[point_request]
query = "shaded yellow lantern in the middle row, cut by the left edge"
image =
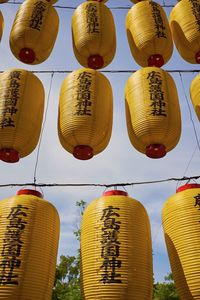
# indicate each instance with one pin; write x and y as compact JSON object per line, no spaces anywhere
{"x":22,"y":105}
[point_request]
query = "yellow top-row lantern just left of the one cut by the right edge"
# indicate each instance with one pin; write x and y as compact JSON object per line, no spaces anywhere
{"x":149,"y":34}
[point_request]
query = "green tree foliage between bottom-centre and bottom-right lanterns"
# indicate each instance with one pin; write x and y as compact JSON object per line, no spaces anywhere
{"x":165,"y":290}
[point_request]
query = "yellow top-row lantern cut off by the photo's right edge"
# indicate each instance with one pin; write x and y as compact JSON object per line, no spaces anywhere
{"x":185,"y":27}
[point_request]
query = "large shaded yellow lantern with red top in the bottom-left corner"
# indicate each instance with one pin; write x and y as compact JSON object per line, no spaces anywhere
{"x":29,"y":234}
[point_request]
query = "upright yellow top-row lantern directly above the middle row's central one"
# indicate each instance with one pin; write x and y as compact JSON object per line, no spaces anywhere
{"x":93,"y":34}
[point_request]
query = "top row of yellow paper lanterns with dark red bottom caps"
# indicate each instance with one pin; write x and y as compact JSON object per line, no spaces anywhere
{"x":36,"y":25}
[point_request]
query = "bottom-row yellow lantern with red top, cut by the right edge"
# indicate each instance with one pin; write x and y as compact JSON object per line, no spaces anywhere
{"x":181,"y":223}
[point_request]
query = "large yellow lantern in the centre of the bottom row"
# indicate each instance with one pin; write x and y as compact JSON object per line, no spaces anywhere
{"x":116,"y":251}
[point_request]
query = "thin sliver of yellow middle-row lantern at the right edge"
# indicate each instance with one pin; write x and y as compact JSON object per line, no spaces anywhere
{"x":195,"y":94}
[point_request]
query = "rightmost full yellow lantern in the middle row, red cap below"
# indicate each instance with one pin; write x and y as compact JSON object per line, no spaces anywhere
{"x":152,"y":112}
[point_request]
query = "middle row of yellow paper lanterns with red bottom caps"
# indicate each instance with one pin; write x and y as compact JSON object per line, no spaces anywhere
{"x":85,"y":112}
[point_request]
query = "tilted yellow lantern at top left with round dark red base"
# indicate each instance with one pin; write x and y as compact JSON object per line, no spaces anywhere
{"x":34,"y":31}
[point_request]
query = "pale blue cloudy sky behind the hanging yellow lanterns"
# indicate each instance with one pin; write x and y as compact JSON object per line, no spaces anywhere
{"x":119,"y":162}
